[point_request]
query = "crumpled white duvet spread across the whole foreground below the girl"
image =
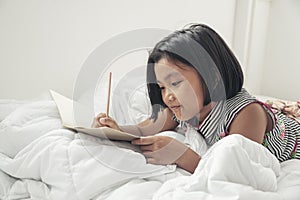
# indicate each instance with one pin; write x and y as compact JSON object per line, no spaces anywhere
{"x":40,"y":160}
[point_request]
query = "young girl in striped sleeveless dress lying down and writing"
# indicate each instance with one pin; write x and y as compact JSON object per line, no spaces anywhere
{"x":195,"y":80}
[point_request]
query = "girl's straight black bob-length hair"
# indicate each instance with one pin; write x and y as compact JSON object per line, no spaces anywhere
{"x":200,"y":47}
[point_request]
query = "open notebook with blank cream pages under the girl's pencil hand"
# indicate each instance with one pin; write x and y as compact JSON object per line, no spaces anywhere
{"x":66,"y":110}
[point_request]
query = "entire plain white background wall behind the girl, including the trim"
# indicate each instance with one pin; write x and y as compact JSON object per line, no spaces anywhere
{"x":43,"y":43}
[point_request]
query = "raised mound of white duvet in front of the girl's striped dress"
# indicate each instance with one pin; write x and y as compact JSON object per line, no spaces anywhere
{"x":233,"y":169}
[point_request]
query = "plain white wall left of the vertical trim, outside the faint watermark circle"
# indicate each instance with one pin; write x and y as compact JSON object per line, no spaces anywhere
{"x":44,"y":43}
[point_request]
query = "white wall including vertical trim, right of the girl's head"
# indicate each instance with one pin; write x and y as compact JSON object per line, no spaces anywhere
{"x":272,"y":45}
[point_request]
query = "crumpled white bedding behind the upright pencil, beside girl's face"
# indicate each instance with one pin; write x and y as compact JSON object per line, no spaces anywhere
{"x":129,"y":103}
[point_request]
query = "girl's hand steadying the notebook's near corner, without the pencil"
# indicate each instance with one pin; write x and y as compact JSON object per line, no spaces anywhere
{"x":161,"y":150}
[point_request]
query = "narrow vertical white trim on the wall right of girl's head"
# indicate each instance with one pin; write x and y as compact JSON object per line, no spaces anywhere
{"x":255,"y":42}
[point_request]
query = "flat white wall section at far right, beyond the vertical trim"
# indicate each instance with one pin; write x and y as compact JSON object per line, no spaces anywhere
{"x":282,"y":64}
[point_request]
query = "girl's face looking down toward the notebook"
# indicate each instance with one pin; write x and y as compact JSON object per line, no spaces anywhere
{"x":181,"y":88}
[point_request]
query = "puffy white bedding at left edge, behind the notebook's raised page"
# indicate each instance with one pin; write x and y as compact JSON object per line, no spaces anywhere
{"x":27,"y":123}
